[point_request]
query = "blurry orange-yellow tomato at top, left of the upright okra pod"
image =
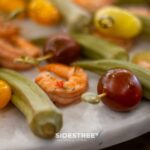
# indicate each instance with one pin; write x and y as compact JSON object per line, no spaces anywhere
{"x":43,"y":12}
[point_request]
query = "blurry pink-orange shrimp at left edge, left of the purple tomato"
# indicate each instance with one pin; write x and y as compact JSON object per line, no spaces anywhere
{"x":13,"y":48}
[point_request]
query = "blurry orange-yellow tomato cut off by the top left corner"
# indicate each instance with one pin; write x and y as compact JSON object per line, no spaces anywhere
{"x":10,"y":6}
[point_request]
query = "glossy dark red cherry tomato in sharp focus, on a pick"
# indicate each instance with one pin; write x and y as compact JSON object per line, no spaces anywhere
{"x":122,"y":88}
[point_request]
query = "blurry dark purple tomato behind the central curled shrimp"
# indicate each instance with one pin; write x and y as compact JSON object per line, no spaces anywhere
{"x":63,"y":49}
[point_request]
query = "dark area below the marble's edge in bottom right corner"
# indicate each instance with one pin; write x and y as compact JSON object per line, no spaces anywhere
{"x":140,"y":143}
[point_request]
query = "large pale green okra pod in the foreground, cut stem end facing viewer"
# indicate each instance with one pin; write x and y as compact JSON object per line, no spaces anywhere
{"x":42,"y":116}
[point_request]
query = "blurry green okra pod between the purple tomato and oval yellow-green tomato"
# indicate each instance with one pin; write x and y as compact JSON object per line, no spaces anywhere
{"x":98,"y":48}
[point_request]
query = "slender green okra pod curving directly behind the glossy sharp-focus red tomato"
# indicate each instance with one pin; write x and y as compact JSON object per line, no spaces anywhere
{"x":101,"y":66}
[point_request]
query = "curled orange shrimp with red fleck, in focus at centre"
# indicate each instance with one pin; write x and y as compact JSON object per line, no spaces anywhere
{"x":65,"y":89}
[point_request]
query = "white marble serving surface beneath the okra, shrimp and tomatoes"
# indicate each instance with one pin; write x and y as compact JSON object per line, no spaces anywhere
{"x":113,"y":127}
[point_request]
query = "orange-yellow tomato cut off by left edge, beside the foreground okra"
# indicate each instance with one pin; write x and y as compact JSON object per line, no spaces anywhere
{"x":5,"y":94}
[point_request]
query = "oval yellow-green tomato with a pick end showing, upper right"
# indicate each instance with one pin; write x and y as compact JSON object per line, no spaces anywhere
{"x":117,"y":22}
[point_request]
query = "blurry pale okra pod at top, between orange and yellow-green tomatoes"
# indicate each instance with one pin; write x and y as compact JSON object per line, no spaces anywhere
{"x":76,"y":17}
